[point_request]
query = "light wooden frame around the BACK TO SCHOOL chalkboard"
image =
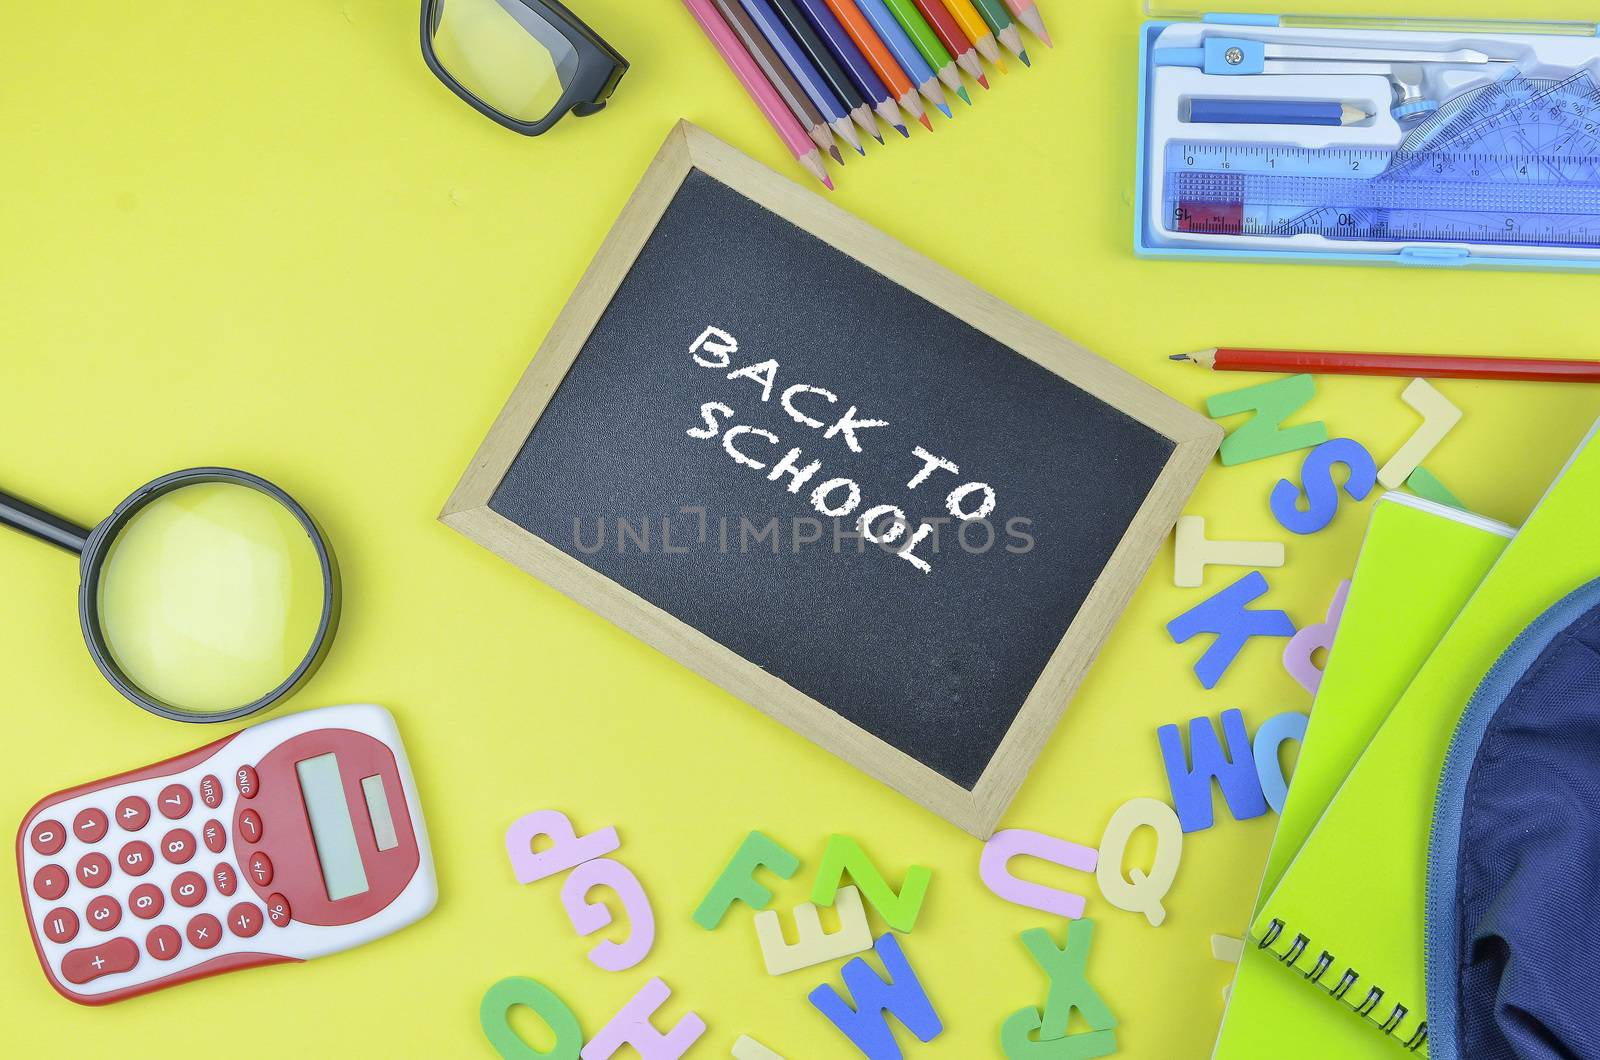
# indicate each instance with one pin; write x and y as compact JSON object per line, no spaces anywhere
{"x":978,"y":811}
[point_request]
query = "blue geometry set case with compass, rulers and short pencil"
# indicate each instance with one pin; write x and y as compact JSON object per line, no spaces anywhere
{"x":1370,"y":142}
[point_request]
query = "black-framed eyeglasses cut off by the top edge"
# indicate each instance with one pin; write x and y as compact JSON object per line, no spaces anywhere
{"x":524,"y":63}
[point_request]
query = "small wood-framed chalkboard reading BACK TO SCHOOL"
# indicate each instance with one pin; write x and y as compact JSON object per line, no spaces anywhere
{"x":833,"y":478}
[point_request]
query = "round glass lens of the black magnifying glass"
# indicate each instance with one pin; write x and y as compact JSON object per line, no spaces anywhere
{"x":210,"y":596}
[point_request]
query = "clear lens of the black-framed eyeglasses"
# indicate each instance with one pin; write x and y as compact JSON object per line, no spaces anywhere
{"x":506,"y":55}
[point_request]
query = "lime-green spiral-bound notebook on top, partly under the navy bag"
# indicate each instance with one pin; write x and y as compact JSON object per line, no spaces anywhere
{"x":1348,"y":915}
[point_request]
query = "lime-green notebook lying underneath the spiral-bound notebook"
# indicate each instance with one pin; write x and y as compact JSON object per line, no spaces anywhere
{"x":1420,"y":564}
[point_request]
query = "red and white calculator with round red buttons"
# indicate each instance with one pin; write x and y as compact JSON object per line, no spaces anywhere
{"x":286,"y":841}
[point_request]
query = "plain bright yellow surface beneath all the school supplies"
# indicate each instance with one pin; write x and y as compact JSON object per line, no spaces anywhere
{"x":262,"y":235}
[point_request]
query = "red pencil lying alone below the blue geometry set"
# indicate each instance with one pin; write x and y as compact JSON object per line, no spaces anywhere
{"x":1410,"y":366}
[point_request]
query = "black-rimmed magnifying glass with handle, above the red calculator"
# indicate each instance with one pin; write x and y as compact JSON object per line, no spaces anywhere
{"x":209,"y":595}
